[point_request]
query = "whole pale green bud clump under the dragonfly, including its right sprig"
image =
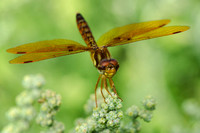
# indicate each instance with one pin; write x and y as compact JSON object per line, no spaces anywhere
{"x":108,"y":118}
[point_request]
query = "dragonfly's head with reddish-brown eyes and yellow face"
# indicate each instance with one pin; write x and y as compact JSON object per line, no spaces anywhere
{"x":108,"y":67}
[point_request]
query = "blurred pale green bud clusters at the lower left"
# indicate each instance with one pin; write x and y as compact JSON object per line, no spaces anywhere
{"x":22,"y":115}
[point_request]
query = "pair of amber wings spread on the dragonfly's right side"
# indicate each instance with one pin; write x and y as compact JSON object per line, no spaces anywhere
{"x":137,"y":32}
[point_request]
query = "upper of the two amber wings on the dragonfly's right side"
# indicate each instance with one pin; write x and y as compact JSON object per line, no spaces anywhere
{"x":114,"y":35}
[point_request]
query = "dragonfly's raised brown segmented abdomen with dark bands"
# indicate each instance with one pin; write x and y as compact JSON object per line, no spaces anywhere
{"x":85,"y":31}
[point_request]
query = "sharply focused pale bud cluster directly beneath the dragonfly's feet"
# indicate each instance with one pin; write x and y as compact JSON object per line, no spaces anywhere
{"x":109,"y":115}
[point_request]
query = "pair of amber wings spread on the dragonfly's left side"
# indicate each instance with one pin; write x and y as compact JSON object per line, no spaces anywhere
{"x":45,"y":50}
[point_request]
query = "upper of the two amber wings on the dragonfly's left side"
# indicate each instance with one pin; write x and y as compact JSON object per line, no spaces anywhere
{"x":56,"y":45}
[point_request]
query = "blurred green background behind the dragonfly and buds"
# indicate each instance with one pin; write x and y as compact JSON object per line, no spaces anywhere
{"x":168,"y":68}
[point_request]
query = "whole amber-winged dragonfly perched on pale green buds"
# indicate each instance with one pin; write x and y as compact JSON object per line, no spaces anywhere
{"x":101,"y":57}
